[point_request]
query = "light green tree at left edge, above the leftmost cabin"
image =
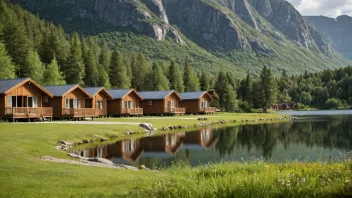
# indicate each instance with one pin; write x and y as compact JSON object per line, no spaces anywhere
{"x":7,"y":68}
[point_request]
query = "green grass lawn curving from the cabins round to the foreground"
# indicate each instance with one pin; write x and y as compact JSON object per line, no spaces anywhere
{"x":22,"y":174}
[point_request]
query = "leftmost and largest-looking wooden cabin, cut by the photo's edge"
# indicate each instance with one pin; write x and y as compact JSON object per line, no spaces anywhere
{"x":23,"y":98}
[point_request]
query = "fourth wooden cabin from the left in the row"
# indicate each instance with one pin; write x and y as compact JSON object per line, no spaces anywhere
{"x":124,"y":102}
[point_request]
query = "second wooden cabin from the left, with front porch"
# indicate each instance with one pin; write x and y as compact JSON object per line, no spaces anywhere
{"x":70,"y":101}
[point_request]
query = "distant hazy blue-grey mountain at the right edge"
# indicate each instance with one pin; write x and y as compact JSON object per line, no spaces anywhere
{"x":338,"y":31}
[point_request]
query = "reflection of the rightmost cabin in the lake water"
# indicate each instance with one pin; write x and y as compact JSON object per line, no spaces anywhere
{"x":203,"y":139}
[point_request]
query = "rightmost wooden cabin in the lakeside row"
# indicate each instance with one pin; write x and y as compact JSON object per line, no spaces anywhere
{"x":197,"y":102}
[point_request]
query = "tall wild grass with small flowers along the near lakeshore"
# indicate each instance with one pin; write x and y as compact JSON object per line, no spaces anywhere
{"x":255,"y":180}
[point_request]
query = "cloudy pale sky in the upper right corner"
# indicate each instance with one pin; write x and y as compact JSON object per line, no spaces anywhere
{"x":330,"y":8}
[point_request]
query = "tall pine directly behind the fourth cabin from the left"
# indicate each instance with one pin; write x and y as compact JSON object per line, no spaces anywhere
{"x":118,"y":73}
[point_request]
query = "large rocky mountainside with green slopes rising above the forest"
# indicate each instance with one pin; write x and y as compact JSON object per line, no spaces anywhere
{"x":230,"y":35}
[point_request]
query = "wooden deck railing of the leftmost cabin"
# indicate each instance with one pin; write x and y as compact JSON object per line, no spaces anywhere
{"x":29,"y":111}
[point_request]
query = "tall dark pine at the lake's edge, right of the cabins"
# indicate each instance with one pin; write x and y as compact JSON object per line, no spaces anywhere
{"x":267,"y":92}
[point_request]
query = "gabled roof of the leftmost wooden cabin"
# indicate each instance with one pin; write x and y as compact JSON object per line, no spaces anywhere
{"x":7,"y":85}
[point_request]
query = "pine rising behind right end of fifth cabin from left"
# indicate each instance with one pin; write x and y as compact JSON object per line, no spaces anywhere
{"x":175,"y":78}
